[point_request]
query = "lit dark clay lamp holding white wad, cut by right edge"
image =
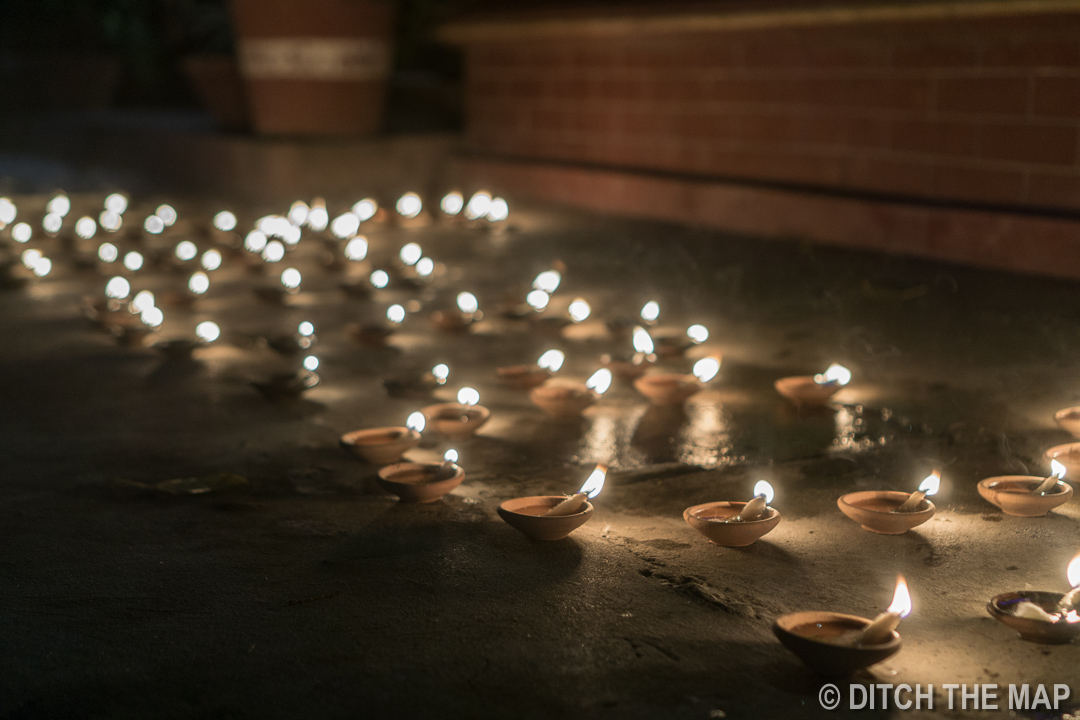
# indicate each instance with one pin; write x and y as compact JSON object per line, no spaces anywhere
{"x":1042,"y":617}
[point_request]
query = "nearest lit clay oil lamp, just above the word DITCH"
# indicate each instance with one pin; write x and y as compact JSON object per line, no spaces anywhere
{"x":838,"y":645}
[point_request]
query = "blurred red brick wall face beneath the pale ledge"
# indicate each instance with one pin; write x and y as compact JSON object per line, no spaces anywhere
{"x":983,"y":111}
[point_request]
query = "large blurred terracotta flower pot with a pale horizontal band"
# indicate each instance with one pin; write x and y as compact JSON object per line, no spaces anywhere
{"x":315,"y":67}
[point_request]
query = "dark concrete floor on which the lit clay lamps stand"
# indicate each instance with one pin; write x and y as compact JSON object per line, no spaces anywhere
{"x":308,"y":592}
